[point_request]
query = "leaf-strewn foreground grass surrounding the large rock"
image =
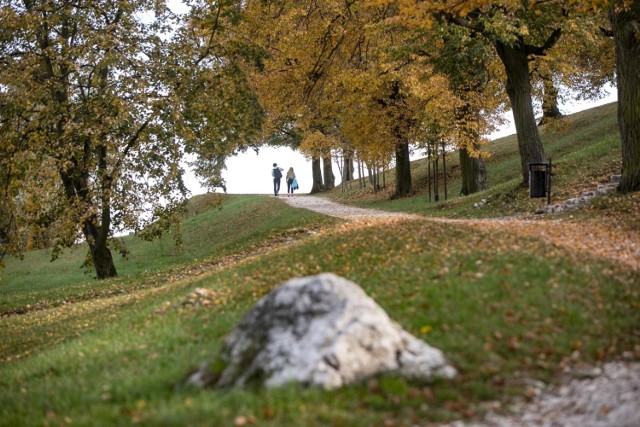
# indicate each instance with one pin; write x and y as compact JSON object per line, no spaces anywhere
{"x":501,"y":309}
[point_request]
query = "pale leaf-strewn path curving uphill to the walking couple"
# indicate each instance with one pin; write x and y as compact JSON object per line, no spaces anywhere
{"x":620,"y":246}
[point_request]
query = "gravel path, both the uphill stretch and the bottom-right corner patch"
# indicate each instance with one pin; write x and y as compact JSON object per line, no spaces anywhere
{"x":607,"y":396}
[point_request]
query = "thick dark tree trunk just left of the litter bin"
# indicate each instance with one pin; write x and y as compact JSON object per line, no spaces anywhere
{"x":514,"y":58}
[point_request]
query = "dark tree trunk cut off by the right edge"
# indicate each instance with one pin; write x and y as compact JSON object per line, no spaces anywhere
{"x":626,"y":34}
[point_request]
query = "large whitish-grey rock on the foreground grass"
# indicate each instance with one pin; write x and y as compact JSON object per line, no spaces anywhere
{"x":320,"y":331}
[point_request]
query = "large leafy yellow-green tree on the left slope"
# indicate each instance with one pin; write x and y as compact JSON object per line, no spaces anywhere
{"x":94,"y":103}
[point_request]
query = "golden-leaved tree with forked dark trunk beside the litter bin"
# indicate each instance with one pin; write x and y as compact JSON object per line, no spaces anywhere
{"x":517,"y":33}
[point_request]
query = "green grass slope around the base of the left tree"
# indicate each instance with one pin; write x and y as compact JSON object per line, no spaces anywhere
{"x":206,"y":237}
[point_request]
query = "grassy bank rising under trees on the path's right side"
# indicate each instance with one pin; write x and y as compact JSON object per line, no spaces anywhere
{"x":584,"y":148}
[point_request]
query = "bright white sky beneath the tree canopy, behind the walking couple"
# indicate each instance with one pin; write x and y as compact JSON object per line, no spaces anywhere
{"x":250,"y":173}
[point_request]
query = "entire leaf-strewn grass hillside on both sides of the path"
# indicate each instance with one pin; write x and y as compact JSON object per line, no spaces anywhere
{"x":504,"y":308}
